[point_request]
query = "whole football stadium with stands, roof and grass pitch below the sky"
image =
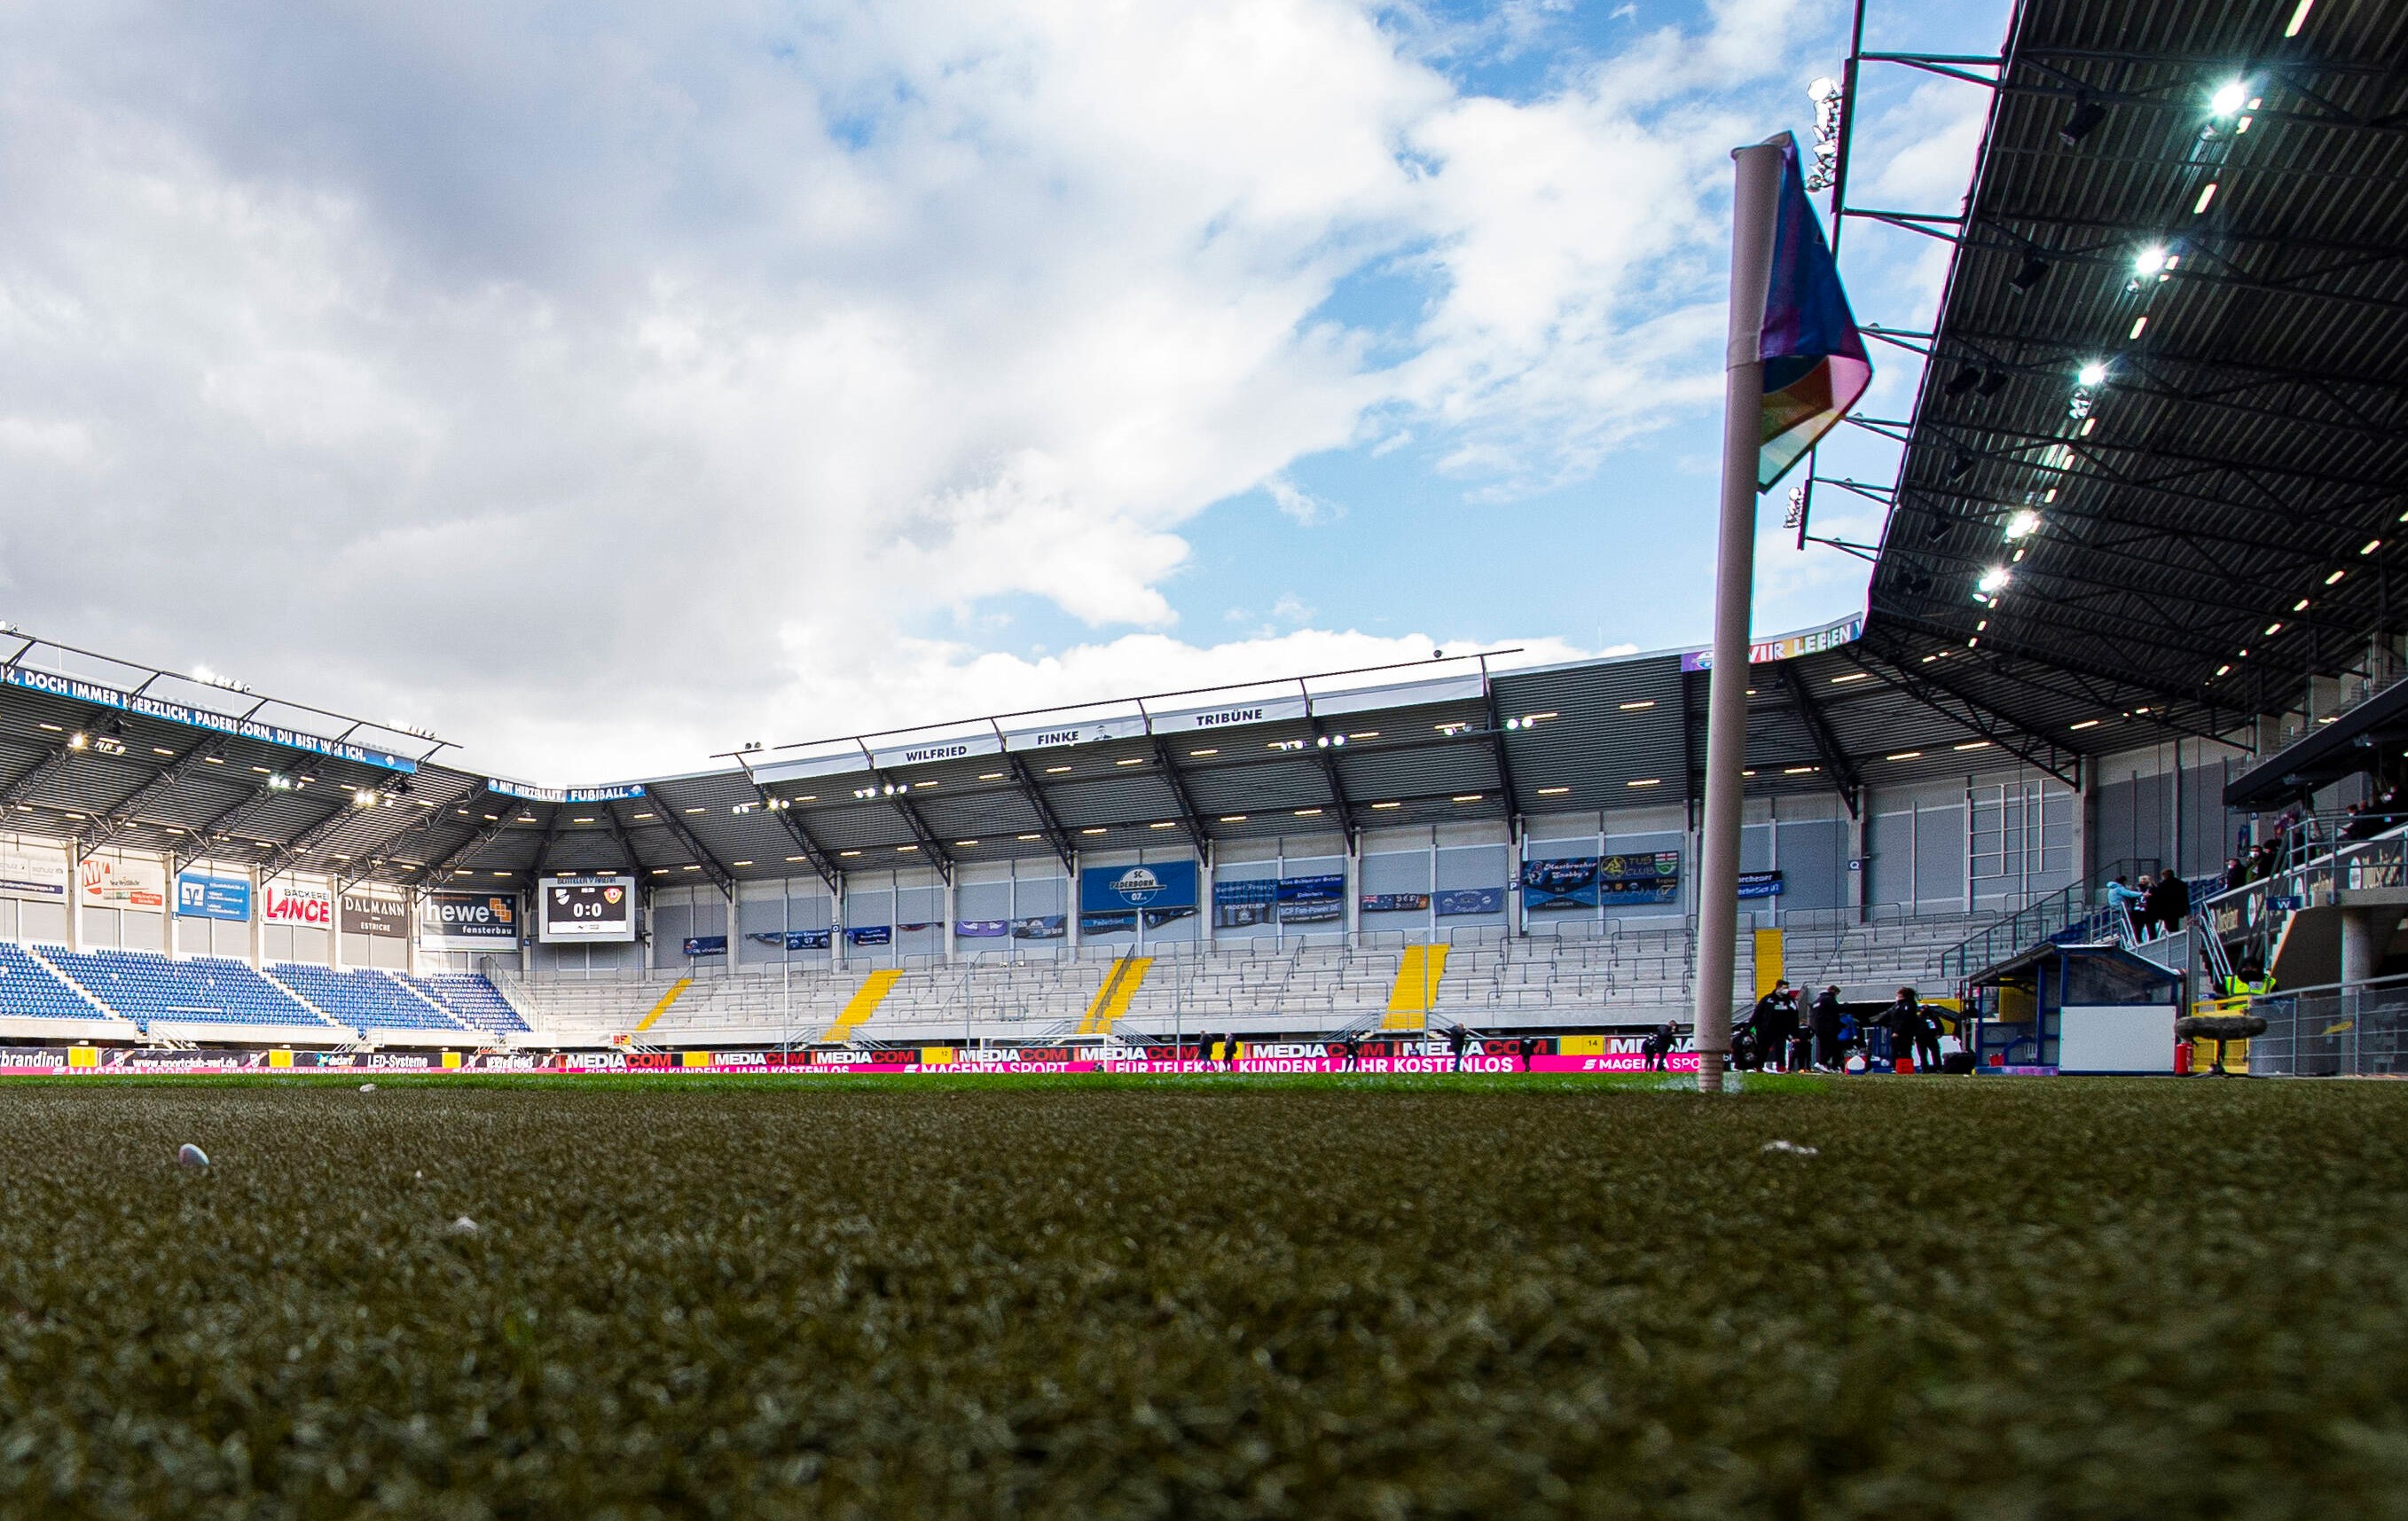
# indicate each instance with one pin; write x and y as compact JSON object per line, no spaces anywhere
{"x":1292,"y":1099}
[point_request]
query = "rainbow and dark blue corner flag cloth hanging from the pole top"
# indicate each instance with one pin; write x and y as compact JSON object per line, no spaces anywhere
{"x":1810,"y":343}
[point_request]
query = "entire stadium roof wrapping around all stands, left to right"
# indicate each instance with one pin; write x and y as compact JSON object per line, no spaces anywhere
{"x":2241,"y":451}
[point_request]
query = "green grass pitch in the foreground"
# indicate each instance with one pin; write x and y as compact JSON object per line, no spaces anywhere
{"x":1205,"y":1298}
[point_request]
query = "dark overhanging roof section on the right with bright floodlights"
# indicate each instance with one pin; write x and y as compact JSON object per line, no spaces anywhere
{"x":2168,"y":386}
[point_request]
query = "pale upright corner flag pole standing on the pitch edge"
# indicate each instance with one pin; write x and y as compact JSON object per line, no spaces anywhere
{"x":1754,"y":208}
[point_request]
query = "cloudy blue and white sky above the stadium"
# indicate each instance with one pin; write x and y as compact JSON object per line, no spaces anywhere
{"x":608,"y":386}
